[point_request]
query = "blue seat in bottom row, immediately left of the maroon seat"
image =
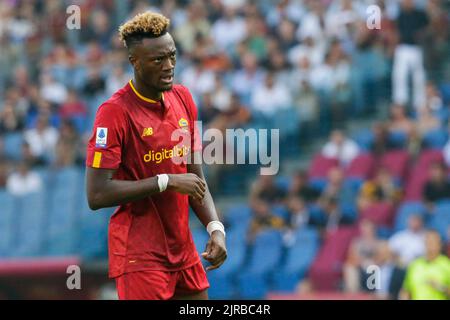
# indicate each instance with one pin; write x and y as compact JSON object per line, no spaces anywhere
{"x":299,"y":257}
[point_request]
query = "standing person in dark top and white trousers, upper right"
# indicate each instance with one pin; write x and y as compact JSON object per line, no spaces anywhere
{"x":408,"y":57}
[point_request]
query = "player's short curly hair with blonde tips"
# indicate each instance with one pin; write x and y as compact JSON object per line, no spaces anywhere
{"x":150,"y":24}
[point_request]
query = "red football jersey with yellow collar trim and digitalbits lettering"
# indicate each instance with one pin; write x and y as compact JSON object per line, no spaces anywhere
{"x":133,"y":135}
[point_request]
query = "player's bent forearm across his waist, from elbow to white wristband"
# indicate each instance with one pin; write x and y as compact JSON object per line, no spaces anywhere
{"x":116,"y":192}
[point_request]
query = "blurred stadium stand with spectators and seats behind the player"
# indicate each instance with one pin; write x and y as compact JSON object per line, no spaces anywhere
{"x":363,"y":114}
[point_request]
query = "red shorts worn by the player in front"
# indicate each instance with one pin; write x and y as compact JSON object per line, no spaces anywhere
{"x":161,"y":285}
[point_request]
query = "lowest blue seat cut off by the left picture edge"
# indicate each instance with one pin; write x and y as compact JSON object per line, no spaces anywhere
{"x":8,"y":230}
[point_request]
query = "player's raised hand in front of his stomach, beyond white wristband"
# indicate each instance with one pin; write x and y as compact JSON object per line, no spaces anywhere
{"x":187,"y":183}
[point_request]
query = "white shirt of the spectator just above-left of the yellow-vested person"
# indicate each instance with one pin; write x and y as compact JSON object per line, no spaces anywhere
{"x":408,"y":245}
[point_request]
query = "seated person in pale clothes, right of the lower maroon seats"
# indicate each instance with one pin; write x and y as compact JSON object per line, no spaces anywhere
{"x":361,"y":255}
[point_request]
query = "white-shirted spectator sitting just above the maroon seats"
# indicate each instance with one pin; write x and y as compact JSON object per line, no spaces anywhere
{"x":341,"y":148}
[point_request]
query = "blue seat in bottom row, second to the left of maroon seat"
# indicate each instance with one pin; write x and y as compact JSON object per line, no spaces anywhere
{"x":265,"y":256}
